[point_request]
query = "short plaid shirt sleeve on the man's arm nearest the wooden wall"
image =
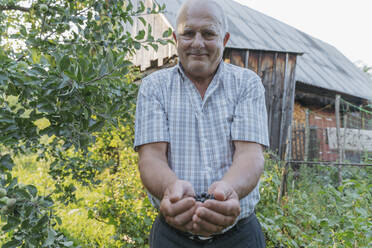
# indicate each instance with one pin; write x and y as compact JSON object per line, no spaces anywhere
{"x":250,"y":115}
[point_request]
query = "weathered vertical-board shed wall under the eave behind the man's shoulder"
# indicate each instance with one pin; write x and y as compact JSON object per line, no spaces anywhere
{"x":277,"y":71}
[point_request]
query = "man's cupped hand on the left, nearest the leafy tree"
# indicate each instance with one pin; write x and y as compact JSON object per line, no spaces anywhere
{"x":178,"y":205}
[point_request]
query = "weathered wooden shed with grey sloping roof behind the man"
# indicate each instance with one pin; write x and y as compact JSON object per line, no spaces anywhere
{"x":272,"y":50}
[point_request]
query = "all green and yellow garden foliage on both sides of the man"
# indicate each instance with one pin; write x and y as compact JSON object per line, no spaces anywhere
{"x":68,"y":172}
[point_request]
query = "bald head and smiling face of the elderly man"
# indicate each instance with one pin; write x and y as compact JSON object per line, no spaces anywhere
{"x":199,"y":40}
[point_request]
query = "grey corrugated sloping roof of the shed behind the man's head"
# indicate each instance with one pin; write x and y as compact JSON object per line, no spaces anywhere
{"x":321,"y":65}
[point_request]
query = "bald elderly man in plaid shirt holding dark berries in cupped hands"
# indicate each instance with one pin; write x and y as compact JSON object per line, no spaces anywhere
{"x":200,"y":128}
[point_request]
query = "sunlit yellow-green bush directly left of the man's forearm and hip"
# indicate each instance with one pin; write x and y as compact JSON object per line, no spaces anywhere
{"x":126,"y":205}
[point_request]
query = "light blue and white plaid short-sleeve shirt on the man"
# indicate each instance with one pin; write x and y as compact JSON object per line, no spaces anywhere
{"x":200,"y":132}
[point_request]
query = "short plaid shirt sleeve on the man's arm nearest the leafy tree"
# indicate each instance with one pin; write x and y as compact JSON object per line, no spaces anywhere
{"x":151,"y":119}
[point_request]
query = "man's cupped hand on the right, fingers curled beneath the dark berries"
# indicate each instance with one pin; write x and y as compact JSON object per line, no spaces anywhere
{"x":212,"y":216}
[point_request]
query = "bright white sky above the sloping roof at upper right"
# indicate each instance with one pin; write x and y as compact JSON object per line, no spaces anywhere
{"x":345,"y":24}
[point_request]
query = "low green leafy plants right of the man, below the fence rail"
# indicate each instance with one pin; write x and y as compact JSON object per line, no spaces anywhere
{"x":315,"y":213}
